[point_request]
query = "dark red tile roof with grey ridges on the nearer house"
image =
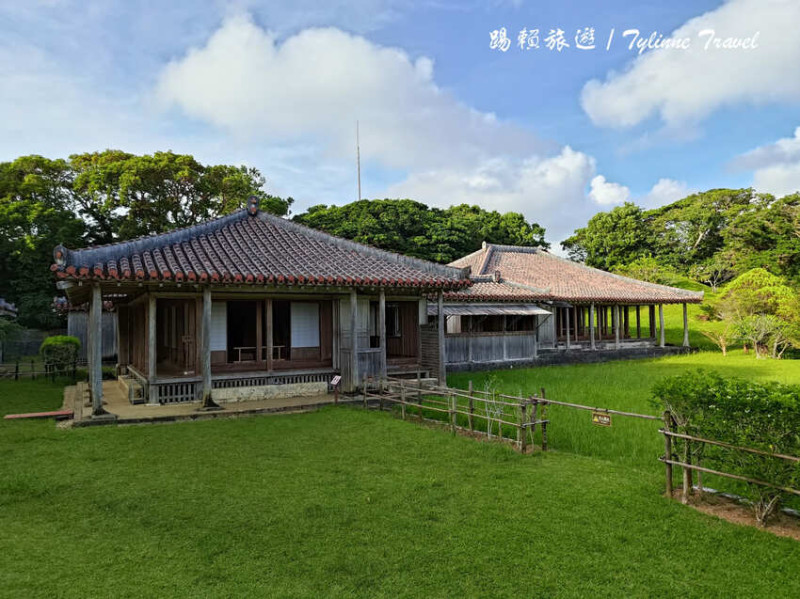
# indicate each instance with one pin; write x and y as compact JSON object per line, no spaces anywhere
{"x":250,"y":246}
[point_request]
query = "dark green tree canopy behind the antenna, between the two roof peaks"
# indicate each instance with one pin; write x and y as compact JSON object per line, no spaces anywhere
{"x":414,"y":229}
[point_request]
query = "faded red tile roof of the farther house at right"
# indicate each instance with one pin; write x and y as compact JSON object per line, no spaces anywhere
{"x":546,"y":277}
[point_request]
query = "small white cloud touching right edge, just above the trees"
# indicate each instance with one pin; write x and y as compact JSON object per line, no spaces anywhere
{"x":775,"y":166}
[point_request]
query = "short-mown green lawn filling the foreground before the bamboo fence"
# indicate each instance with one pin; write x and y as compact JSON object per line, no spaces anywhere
{"x":345,"y":502}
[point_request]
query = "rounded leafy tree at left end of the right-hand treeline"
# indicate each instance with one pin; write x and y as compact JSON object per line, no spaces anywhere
{"x":612,"y":239}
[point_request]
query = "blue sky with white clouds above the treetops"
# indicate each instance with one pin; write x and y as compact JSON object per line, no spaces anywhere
{"x":444,"y":117}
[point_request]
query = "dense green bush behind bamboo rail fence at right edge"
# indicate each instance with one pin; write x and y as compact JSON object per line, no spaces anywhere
{"x":763,"y":416}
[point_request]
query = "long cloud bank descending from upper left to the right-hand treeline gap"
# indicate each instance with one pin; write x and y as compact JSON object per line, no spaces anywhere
{"x":313,"y":86}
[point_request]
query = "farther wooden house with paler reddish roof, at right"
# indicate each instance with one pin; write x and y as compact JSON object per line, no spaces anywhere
{"x":526,"y":304}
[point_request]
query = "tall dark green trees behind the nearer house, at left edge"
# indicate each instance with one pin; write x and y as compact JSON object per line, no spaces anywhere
{"x":103,"y":197}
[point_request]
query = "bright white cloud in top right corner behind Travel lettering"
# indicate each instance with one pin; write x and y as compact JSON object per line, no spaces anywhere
{"x":684,"y":86}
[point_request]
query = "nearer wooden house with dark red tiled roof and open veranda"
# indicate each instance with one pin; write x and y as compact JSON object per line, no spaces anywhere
{"x":249,"y":304}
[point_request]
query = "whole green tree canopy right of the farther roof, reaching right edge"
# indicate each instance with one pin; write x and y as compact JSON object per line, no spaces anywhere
{"x":711,"y":236}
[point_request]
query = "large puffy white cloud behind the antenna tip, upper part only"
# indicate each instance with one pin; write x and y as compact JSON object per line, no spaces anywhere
{"x":318,"y":82}
